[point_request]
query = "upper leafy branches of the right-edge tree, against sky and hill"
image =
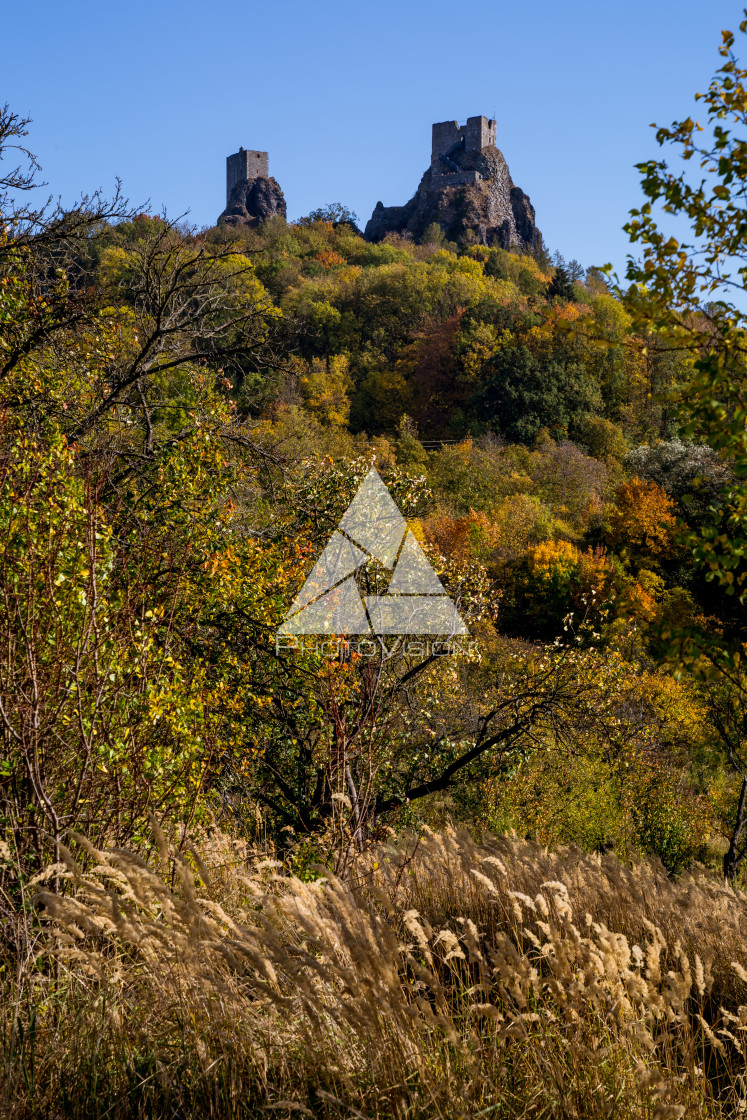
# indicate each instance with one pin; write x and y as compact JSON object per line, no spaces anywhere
{"x":676,"y":279}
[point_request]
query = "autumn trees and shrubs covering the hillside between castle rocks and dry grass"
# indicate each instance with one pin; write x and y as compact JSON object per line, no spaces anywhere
{"x":180,"y":453}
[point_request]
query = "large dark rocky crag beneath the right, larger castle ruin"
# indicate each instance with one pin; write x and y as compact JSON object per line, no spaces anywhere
{"x":470,"y":191}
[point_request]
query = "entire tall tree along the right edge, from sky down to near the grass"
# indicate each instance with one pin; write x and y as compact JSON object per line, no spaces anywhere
{"x":689,"y":294}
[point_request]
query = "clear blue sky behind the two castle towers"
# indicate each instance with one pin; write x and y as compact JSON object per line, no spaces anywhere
{"x":343,"y":97}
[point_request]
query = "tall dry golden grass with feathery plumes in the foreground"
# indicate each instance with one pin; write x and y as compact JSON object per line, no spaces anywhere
{"x":452,"y":979}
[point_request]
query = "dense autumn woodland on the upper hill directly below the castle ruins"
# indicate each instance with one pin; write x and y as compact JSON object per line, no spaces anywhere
{"x":462,"y":340}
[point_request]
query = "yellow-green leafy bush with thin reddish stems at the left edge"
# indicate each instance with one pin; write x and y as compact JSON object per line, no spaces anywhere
{"x":108,"y":713}
